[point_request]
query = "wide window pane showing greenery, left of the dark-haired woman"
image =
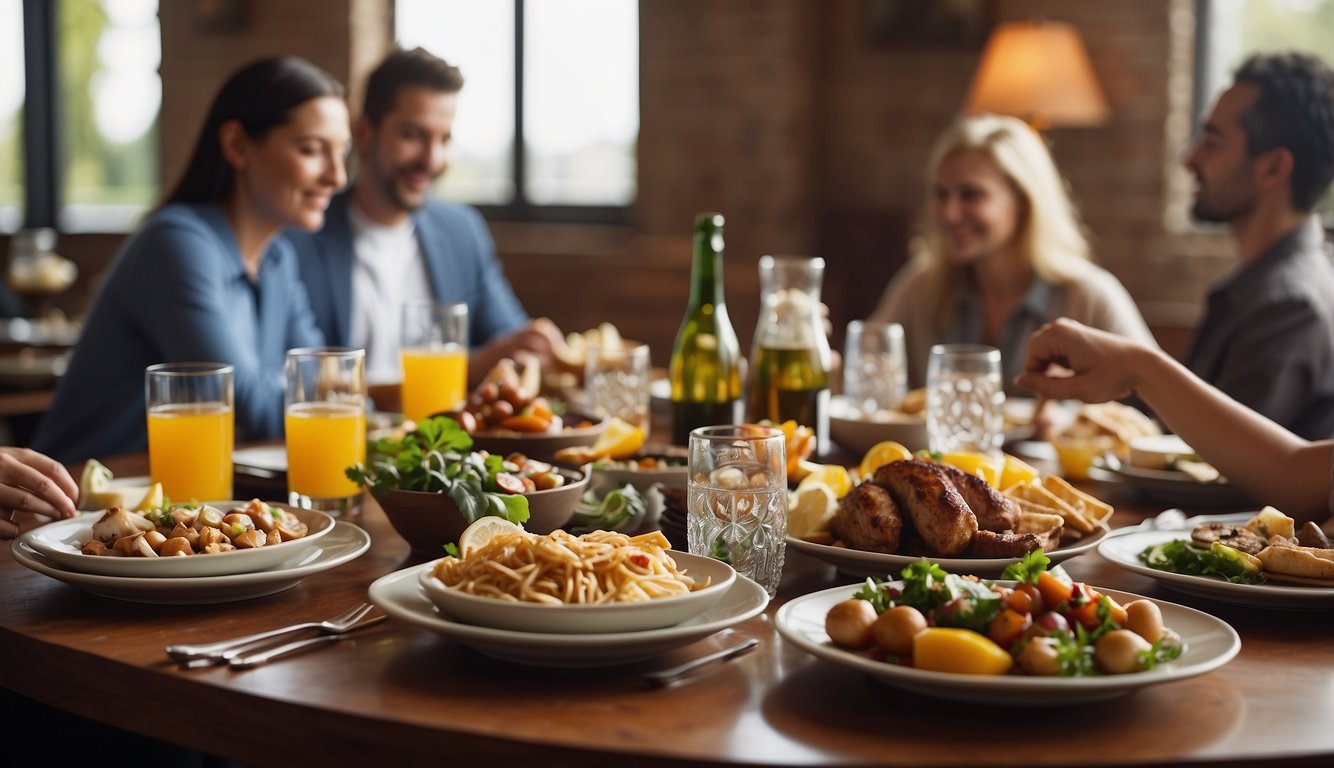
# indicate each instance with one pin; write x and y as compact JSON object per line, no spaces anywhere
{"x":110,"y":99}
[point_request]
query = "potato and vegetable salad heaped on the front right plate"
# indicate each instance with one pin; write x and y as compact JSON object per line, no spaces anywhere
{"x":1044,"y":625}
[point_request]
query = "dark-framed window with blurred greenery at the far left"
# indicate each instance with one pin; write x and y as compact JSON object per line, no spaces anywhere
{"x":83,"y":137}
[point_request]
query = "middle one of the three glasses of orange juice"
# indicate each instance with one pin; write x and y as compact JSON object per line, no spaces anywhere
{"x":326,"y":427}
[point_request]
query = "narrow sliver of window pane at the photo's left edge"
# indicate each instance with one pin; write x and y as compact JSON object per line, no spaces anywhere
{"x":11,"y":115}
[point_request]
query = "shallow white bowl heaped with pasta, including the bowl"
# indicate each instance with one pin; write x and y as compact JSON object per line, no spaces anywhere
{"x":560,"y":583}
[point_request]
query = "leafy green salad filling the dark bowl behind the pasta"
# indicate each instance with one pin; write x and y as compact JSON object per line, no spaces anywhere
{"x":436,"y":458}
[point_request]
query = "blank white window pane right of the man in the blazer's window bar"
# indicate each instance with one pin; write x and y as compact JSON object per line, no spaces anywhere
{"x":581,"y":102}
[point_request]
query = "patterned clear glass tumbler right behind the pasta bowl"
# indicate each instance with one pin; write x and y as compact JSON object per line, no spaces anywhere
{"x":737,"y":509}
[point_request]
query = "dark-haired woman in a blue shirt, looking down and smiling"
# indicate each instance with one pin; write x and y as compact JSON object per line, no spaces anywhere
{"x":209,"y":277}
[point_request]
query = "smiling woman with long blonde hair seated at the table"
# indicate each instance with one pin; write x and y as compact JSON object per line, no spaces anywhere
{"x":1003,"y":253}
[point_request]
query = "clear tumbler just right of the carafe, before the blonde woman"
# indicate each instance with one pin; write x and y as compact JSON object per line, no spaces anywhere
{"x":876,"y":371}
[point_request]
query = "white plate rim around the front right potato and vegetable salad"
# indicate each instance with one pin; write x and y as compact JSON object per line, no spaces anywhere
{"x":981,"y":687}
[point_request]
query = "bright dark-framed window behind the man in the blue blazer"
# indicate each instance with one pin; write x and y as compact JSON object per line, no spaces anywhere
{"x":549,"y":117}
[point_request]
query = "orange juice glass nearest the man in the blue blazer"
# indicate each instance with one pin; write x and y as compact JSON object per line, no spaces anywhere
{"x":436,"y":358}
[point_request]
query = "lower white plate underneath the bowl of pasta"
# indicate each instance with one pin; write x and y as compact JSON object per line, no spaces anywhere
{"x":401,"y":597}
